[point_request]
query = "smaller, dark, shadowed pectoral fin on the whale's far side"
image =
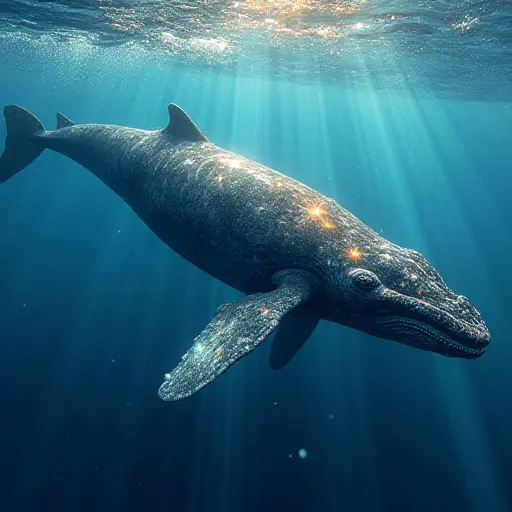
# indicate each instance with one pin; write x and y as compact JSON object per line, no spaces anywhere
{"x":293,"y":331}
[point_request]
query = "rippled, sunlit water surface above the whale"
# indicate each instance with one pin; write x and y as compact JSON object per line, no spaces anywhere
{"x":461,"y":48}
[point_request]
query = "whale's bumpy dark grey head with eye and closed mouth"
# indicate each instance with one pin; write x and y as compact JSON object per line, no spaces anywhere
{"x":395,"y":293}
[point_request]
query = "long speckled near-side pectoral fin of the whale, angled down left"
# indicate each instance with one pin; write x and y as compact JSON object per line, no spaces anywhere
{"x":237,"y":329}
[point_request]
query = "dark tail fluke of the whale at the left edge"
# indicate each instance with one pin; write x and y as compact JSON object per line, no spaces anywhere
{"x":21,"y":144}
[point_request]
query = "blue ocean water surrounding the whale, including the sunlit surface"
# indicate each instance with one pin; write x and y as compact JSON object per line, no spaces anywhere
{"x":400,"y":111}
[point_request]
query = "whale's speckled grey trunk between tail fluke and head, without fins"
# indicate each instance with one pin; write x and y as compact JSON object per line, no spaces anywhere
{"x":234,"y":218}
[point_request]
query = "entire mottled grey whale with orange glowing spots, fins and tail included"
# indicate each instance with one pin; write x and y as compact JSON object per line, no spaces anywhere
{"x":298,"y":255}
